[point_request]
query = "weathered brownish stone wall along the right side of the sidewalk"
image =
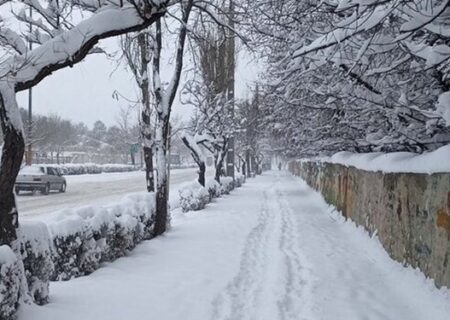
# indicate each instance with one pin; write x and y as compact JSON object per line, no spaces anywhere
{"x":410,"y":212}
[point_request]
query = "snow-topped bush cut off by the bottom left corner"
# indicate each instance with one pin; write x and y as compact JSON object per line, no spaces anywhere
{"x":10,"y":283}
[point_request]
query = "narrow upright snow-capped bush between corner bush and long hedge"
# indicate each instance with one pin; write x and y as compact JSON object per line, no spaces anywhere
{"x":35,"y":248}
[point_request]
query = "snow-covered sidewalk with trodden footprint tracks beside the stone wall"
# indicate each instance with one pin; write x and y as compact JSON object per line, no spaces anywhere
{"x":270,"y":250}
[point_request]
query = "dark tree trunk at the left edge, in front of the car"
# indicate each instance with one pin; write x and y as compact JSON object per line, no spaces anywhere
{"x":12,"y":156}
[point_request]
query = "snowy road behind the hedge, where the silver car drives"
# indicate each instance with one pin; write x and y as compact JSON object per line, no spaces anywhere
{"x":97,"y":189}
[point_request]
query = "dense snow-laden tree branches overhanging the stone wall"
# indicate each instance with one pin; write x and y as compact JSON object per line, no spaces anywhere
{"x":354,"y":75}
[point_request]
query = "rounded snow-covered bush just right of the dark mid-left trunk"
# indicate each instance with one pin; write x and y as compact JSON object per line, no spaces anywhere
{"x":193,"y":196}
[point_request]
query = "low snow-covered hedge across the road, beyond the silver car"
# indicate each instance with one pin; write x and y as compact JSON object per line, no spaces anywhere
{"x":92,"y":168}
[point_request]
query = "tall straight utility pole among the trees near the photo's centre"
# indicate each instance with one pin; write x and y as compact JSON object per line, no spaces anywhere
{"x":231,"y":48}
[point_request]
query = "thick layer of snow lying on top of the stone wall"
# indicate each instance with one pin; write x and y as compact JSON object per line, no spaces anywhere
{"x":429,"y":162}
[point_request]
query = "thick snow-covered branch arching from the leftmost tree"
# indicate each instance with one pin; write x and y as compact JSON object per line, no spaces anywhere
{"x":71,"y":46}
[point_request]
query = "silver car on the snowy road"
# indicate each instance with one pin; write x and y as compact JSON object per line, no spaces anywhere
{"x":40,"y":178}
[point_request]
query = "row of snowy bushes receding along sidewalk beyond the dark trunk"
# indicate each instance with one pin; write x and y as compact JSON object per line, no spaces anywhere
{"x":195,"y":197}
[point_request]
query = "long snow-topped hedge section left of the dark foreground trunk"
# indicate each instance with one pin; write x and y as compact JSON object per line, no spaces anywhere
{"x":88,"y":236}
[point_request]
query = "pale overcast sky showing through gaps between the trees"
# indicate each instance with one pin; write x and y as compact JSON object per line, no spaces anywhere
{"x":85,"y":92}
